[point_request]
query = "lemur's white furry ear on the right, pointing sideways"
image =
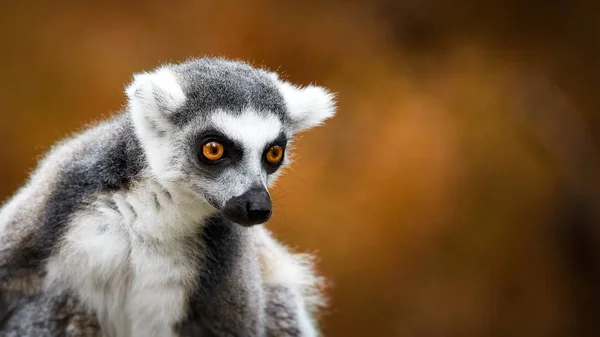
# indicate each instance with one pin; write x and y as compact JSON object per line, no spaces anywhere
{"x":309,"y":106}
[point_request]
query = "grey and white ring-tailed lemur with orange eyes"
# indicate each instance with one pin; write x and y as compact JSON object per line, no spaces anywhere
{"x":148,"y":223}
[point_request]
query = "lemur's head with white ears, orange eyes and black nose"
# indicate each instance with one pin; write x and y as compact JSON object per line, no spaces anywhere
{"x":222,"y":130}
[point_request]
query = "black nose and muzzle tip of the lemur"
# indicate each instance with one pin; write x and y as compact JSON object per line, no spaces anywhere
{"x":251,"y":208}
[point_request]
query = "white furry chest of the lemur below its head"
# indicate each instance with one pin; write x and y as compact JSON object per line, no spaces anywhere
{"x":134,"y":260}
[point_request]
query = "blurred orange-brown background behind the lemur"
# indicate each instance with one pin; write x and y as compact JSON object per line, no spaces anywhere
{"x":454,"y":194}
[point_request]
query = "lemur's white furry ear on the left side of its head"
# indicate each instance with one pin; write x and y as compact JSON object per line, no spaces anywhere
{"x":155,"y":94}
